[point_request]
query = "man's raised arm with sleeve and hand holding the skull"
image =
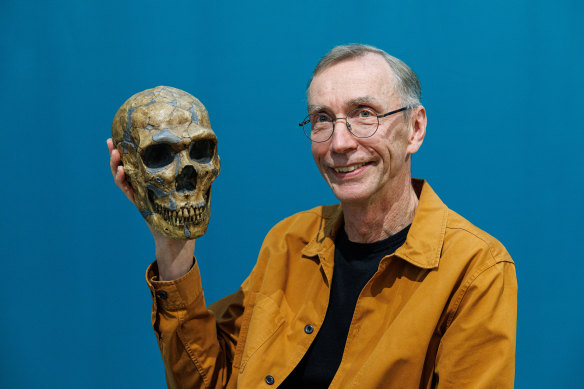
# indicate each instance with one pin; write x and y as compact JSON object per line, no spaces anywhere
{"x":197,"y":350}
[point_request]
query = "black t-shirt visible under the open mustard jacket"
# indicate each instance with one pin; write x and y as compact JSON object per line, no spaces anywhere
{"x":355,"y":264}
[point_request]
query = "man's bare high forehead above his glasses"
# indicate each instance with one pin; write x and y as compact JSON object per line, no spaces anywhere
{"x":366,"y":76}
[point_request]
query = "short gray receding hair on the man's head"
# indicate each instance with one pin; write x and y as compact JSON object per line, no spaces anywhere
{"x":407,"y":84}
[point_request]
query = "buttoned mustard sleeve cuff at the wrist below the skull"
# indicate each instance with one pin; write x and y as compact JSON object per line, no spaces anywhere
{"x":176,"y":294}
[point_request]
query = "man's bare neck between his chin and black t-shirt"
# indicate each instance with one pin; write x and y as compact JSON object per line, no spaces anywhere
{"x":381,"y":218}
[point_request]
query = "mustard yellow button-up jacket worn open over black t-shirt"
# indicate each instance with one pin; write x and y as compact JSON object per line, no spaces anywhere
{"x":440,"y":312}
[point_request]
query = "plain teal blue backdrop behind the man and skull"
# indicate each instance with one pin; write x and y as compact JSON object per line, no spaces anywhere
{"x":502,"y":84}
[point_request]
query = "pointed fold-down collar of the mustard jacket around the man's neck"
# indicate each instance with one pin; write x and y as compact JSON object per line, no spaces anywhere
{"x":425,"y":238}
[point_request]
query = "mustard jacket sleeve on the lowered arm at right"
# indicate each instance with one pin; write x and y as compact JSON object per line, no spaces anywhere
{"x":478,"y":347}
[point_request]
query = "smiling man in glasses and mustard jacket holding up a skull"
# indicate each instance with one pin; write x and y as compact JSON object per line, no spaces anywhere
{"x":389,"y":289}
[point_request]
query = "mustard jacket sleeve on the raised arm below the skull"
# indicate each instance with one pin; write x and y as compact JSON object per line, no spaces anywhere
{"x":197,"y":344}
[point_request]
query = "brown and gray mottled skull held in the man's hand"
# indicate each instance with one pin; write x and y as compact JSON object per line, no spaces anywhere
{"x":169,"y":153}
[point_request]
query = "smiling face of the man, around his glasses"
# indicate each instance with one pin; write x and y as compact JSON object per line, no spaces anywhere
{"x":364,"y":170}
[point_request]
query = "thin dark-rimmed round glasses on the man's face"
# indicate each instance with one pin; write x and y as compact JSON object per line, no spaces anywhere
{"x":361,"y":122}
